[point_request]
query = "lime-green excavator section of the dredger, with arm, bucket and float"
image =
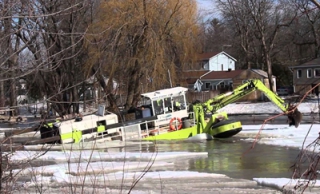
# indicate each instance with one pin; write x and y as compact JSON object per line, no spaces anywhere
{"x":218,"y":125}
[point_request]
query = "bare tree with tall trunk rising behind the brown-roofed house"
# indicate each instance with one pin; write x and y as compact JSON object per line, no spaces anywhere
{"x":258,"y":24}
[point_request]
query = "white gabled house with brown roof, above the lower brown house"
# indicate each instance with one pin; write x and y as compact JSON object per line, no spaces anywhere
{"x":216,"y":61}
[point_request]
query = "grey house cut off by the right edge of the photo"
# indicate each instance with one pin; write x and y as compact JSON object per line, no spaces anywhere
{"x":306,"y":76}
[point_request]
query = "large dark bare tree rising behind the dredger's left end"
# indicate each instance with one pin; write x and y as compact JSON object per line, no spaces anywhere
{"x":54,"y":35}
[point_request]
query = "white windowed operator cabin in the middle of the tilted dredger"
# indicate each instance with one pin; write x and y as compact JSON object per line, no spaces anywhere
{"x":165,"y":104}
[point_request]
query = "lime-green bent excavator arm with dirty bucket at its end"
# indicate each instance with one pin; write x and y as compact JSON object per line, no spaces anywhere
{"x":250,"y":86}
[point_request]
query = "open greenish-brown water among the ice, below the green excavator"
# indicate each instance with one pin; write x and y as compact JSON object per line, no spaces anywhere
{"x":233,"y":158}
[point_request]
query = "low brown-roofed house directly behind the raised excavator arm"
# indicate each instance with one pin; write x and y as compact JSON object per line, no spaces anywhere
{"x":227,"y":80}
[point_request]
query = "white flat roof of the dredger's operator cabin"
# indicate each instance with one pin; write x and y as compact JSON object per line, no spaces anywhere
{"x":176,"y":91}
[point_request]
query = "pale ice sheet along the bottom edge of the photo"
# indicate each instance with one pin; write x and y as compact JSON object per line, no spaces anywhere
{"x":163,"y":182}
